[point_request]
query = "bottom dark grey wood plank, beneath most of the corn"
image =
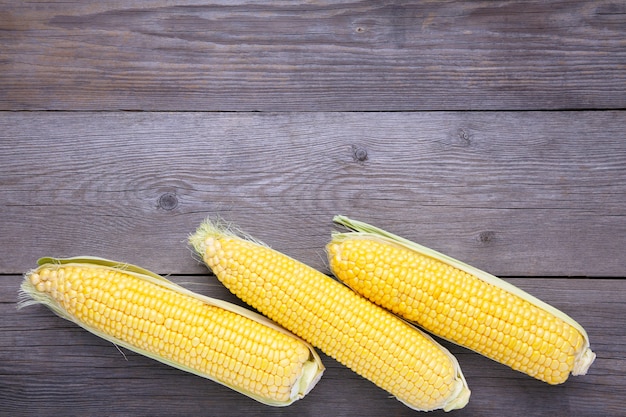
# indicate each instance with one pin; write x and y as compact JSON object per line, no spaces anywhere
{"x":49,"y":366}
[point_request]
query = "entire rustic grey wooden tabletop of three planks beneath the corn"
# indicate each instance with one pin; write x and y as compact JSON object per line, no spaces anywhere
{"x":492,"y":131}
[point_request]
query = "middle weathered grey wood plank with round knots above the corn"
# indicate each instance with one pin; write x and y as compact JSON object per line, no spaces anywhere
{"x":518,"y":194}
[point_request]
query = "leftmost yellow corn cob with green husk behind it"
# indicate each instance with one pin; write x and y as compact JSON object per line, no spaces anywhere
{"x":150,"y":315}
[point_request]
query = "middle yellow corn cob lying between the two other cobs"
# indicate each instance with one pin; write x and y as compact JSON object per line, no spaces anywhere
{"x":371,"y":341}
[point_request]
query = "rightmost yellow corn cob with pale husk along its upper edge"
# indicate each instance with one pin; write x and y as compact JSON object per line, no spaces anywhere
{"x":459,"y":303}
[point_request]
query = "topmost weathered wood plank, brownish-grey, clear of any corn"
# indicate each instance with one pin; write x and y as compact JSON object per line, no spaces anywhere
{"x":297,"y":55}
